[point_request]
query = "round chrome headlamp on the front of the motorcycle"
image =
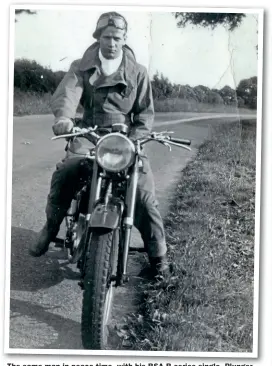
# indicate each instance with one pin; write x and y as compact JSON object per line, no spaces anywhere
{"x":115,"y":152}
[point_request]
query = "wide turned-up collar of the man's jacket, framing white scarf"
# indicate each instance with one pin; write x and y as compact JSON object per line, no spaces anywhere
{"x":126,"y":74}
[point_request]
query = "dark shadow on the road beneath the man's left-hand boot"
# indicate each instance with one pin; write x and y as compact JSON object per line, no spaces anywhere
{"x":32,"y":274}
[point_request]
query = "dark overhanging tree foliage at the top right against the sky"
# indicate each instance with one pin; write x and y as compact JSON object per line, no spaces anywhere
{"x":230,"y":20}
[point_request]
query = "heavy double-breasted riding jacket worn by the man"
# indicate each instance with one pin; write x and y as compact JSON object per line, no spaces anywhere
{"x":125,"y":96}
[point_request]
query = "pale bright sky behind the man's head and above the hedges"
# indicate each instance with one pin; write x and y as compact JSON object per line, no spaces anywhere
{"x":54,"y":37}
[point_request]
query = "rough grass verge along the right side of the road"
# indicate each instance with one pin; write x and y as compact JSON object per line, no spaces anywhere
{"x":208,"y":304}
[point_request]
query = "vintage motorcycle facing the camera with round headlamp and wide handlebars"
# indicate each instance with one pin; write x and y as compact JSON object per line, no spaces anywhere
{"x":100,"y":219}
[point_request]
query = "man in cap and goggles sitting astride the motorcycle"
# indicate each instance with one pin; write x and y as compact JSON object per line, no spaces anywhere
{"x":112,"y":87}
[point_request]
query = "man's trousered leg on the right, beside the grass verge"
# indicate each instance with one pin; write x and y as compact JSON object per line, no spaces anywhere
{"x":149,"y":222}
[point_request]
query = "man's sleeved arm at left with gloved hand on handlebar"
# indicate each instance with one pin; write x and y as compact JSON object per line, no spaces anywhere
{"x":66,"y":98}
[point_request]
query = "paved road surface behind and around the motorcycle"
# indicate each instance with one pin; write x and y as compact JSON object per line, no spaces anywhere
{"x":45,"y":300}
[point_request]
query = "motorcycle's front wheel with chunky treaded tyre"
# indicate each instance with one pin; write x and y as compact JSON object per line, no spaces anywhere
{"x":100,"y":266}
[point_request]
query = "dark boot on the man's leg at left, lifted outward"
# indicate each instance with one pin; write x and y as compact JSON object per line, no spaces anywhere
{"x":48,"y":232}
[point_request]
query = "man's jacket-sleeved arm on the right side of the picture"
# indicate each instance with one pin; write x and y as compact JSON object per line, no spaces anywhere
{"x":143,"y":109}
